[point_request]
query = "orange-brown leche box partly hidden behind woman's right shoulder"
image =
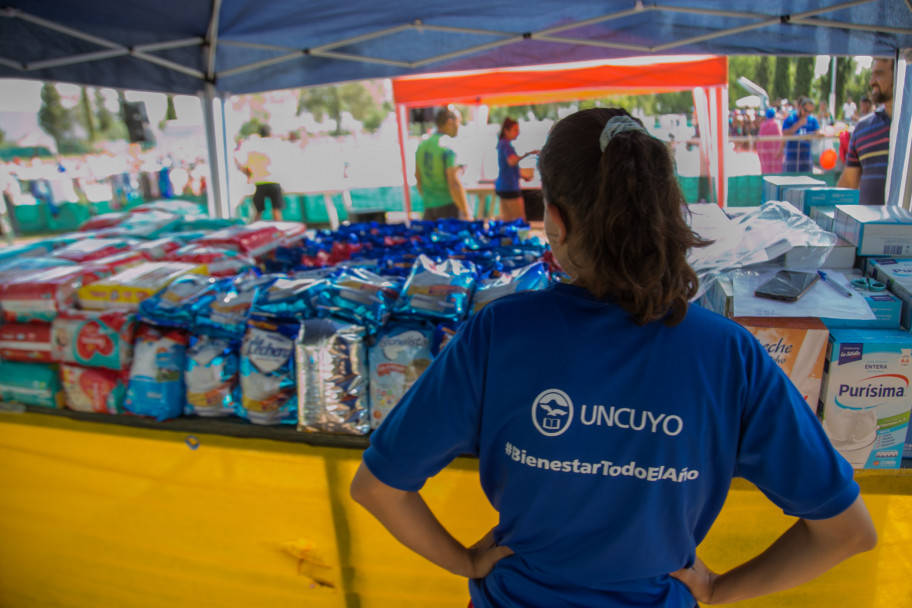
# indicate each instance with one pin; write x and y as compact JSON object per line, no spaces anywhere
{"x":798,"y":345}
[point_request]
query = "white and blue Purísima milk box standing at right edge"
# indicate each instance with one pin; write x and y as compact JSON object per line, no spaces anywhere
{"x":865,"y":395}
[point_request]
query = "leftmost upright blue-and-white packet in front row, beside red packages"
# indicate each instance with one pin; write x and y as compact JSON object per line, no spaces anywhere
{"x":157,"y":376}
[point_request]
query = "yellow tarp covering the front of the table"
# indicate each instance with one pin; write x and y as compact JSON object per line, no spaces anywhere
{"x":95,"y":515}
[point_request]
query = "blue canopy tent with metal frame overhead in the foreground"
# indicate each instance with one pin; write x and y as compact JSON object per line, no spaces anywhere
{"x":218,"y":47}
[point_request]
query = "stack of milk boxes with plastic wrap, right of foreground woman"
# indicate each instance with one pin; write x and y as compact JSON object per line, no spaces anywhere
{"x":846,"y":343}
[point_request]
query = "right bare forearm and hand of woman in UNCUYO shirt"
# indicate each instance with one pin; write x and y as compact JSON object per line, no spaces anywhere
{"x":805,"y":551}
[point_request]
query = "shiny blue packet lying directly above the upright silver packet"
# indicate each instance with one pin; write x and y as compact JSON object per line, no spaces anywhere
{"x":360,"y":296}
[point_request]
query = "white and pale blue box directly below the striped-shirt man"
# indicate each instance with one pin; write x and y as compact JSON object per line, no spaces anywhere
{"x":875,"y":230}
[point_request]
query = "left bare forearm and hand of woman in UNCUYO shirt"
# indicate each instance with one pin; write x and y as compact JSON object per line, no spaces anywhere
{"x":408,"y":518}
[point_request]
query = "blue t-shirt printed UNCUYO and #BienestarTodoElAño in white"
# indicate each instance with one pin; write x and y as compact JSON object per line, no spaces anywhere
{"x":607,"y":448}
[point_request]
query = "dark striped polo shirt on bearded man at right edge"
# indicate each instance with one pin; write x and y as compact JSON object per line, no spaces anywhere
{"x":869,"y":149}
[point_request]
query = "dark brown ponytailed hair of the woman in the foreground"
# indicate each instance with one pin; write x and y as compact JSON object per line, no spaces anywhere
{"x":625,"y":215}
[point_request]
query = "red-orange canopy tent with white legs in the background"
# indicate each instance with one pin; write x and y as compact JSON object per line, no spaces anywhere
{"x":707,"y":76}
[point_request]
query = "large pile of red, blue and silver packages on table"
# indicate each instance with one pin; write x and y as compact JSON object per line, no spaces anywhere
{"x":324,"y":330}
